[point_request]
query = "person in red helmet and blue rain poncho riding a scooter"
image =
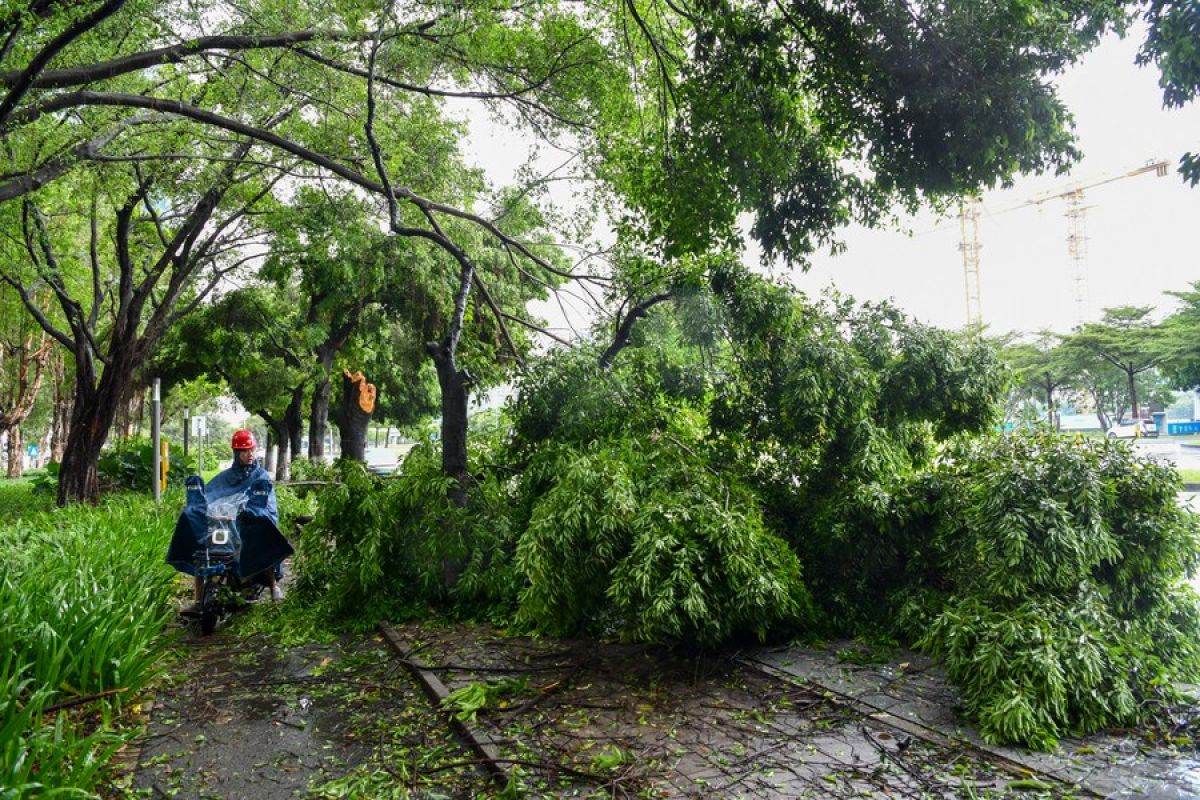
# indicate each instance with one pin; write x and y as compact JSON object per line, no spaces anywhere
{"x":263,"y":548}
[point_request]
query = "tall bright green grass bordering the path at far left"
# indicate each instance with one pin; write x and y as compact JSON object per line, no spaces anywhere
{"x":83,"y":598}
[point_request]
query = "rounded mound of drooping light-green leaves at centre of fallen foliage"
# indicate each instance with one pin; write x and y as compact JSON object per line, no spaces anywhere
{"x":640,"y":537}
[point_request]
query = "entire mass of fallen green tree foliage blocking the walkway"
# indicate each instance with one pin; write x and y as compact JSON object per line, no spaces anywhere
{"x":677,"y":496}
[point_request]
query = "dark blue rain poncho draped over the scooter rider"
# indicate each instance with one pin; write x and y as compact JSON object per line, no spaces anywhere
{"x":235,"y":514}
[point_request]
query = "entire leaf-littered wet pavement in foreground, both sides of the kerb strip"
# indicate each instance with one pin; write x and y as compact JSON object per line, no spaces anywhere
{"x":602,"y":720}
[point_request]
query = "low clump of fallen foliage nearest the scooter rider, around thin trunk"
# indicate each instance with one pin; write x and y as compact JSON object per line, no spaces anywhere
{"x":388,"y":548}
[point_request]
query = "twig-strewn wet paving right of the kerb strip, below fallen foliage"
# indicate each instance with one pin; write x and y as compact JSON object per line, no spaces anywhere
{"x":613,"y":720}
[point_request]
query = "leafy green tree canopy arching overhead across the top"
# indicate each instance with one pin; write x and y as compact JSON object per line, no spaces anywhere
{"x":681,"y":117}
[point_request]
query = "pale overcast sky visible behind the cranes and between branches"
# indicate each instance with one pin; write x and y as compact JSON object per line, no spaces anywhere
{"x":1142,"y":231}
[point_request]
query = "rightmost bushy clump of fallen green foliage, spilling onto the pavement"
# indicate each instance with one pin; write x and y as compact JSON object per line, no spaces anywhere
{"x":1069,"y":610}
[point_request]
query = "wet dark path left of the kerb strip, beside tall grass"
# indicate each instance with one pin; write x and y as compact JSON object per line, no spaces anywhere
{"x":245,"y":720}
